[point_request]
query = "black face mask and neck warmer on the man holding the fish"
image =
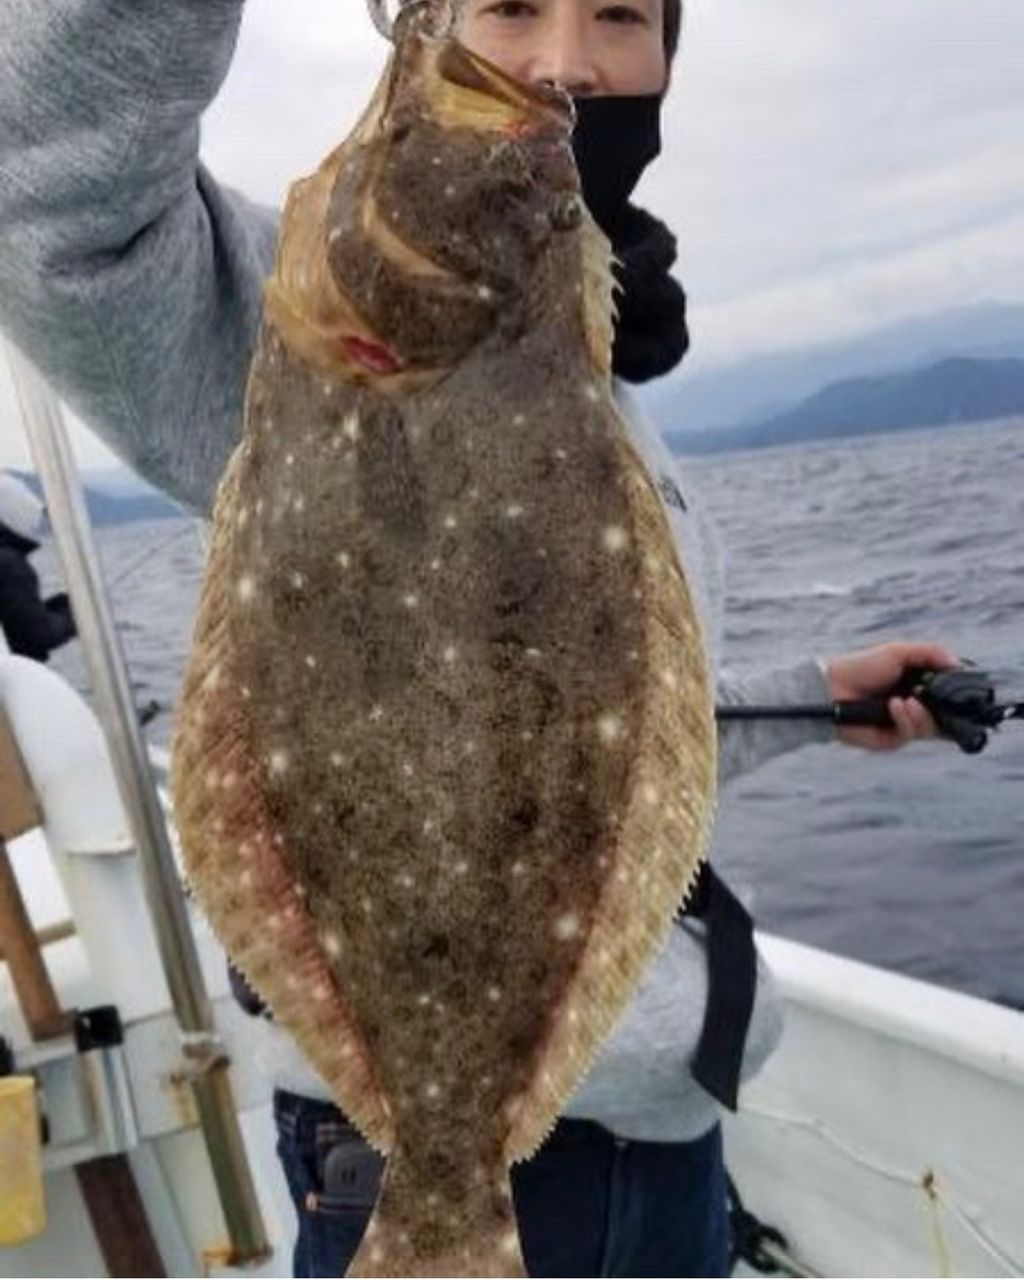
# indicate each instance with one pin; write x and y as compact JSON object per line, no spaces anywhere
{"x":615,"y":140}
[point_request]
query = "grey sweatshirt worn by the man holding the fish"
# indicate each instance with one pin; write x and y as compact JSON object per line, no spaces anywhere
{"x":134,"y":281}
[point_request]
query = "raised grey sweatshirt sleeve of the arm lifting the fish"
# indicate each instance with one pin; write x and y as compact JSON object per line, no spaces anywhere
{"x":127,"y":275}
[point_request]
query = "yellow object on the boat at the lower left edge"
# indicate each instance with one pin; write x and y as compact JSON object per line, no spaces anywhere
{"x":22,"y":1206}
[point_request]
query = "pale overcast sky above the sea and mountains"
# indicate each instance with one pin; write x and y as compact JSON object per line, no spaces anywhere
{"x":828,"y":167}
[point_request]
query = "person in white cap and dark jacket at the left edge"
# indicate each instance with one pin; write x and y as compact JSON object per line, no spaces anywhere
{"x":33,"y":627}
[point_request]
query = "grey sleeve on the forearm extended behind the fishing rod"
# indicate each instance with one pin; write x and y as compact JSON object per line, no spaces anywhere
{"x":746,"y":746}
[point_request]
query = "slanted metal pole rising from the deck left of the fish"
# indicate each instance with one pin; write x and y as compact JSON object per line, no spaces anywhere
{"x":67,"y":510}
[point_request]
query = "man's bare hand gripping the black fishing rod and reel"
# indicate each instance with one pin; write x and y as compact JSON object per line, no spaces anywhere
{"x":872,"y":674}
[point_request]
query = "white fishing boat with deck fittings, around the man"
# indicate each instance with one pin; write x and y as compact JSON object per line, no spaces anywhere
{"x":883,"y":1139}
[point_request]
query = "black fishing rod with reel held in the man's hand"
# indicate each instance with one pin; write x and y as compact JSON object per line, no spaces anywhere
{"x":962,"y":702}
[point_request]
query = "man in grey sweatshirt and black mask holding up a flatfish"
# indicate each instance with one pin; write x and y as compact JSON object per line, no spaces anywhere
{"x":135,"y":281}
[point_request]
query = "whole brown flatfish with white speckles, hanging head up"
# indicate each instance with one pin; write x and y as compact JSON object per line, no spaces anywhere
{"x":445,"y":762}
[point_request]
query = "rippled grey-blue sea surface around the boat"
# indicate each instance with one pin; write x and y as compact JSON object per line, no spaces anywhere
{"x":912,"y":861}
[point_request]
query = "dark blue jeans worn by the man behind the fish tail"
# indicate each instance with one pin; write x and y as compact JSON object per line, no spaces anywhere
{"x":588,"y":1204}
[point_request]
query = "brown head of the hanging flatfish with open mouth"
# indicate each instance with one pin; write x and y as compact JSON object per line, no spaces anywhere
{"x":445,"y":217}
